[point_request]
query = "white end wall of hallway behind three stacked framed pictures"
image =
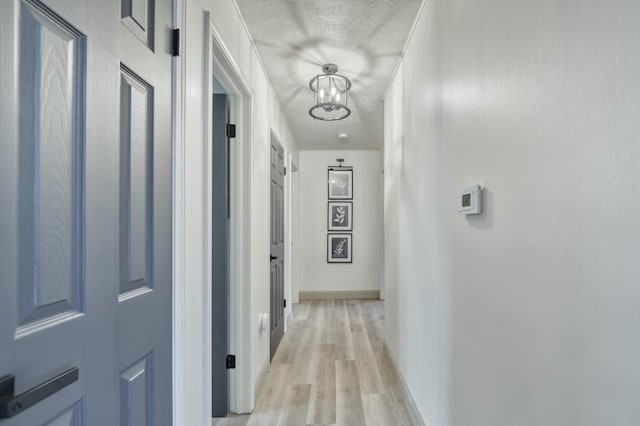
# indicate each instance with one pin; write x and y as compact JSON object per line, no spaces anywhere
{"x":364,"y":273}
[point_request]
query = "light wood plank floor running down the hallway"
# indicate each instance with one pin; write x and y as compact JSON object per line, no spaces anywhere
{"x":330,"y":370}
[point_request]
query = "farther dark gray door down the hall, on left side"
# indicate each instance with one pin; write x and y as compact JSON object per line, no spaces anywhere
{"x":277,"y":245}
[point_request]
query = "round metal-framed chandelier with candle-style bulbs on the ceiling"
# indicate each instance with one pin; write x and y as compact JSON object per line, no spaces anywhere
{"x":330,"y":94}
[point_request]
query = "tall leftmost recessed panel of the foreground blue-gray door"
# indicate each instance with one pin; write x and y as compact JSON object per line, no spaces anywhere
{"x":49,"y":197}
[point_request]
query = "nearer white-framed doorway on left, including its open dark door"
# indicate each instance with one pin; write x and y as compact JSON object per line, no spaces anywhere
{"x":227,"y":173}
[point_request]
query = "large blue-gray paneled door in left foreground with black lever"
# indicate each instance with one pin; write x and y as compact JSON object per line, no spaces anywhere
{"x":85,"y":212}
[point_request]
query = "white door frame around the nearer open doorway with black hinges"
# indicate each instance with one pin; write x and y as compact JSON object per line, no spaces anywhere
{"x":219,"y":62}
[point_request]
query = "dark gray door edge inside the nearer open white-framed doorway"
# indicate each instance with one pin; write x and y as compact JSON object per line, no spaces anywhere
{"x":220,"y":257}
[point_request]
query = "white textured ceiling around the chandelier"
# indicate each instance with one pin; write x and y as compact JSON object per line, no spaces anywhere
{"x":363,"y":37}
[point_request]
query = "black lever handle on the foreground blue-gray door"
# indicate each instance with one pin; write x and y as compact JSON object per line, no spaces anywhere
{"x":11,"y":405}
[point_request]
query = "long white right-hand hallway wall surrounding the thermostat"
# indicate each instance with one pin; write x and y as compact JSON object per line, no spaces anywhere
{"x":527,"y":314}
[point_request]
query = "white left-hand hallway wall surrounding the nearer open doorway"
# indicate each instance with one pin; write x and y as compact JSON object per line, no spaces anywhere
{"x":267,"y":117}
